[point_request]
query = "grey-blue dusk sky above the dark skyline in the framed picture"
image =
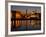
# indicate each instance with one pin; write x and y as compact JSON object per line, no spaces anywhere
{"x":24,"y":8}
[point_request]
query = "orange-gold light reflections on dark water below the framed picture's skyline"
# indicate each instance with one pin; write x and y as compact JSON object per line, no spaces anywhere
{"x":27,"y":22}
